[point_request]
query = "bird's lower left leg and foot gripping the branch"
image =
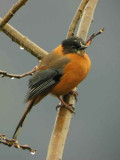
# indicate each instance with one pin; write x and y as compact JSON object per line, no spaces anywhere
{"x":64,"y":104}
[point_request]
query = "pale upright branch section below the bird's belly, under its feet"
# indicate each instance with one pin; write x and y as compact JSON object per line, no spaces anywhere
{"x":60,"y":131}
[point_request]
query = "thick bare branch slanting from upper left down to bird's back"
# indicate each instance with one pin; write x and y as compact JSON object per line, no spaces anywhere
{"x":23,"y":41}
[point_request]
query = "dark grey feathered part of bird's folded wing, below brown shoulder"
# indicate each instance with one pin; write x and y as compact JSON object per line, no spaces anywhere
{"x":42,"y":81}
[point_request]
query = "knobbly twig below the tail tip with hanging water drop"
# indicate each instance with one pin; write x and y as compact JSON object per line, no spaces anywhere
{"x":12,"y":142}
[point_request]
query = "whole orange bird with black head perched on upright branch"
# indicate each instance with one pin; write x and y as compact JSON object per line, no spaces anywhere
{"x":58,"y":74}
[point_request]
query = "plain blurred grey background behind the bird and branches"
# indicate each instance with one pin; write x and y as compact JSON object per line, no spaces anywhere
{"x":95,"y":129}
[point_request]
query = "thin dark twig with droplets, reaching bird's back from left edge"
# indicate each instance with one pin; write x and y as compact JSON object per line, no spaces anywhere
{"x":13,"y":76}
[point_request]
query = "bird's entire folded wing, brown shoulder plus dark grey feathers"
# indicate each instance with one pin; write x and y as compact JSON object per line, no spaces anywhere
{"x":43,"y":80}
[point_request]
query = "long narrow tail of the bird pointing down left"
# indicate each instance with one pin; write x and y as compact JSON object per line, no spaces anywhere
{"x":24,"y":116}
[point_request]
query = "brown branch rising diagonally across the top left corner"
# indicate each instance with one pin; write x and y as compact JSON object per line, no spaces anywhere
{"x":11,"y":12}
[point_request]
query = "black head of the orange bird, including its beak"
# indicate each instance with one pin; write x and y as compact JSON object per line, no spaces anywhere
{"x":73,"y":45}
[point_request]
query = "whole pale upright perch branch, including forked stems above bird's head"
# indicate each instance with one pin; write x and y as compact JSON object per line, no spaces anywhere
{"x":63,"y":119}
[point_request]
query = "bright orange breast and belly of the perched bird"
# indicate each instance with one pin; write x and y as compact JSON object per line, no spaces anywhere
{"x":73,"y":73}
